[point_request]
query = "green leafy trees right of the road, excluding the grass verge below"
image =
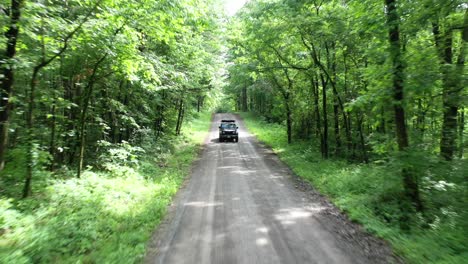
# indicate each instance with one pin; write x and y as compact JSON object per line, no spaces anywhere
{"x":366,"y":81}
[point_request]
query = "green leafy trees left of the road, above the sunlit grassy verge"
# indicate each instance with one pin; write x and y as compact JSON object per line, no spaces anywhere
{"x":80,"y":75}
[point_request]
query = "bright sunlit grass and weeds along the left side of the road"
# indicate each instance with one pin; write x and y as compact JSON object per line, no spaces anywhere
{"x":107,"y":216}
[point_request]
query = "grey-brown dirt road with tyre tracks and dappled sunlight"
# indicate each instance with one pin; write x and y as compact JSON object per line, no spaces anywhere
{"x":242,"y":205}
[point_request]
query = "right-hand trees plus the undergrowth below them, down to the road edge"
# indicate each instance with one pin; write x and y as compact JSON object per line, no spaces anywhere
{"x":381,"y":83}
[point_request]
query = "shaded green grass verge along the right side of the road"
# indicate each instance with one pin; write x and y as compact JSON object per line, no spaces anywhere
{"x":369,"y":195}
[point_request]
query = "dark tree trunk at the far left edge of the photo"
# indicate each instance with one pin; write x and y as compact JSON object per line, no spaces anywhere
{"x":7,"y":75}
